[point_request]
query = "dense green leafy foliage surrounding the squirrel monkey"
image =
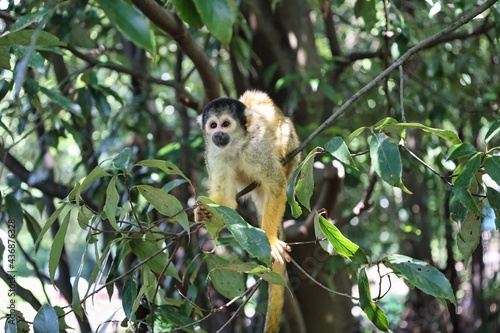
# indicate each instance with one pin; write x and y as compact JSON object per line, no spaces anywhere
{"x":98,"y":101}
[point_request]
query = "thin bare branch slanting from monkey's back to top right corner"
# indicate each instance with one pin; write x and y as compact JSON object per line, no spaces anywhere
{"x":426,"y":43}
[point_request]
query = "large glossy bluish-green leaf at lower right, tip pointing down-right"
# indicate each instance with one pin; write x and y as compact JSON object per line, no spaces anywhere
{"x":422,"y":275}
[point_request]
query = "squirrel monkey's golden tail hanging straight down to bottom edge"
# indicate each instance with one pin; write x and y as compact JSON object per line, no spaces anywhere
{"x":275,"y":302}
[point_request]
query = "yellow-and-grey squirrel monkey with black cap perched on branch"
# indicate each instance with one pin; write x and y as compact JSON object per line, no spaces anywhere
{"x":246,"y":141}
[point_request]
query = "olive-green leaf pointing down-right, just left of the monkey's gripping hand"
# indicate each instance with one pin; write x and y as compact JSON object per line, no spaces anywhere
{"x":165,"y":203}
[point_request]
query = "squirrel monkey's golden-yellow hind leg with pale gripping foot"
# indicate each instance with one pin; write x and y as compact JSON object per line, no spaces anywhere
{"x":272,"y":214}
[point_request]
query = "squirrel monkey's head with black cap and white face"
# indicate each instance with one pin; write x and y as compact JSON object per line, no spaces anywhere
{"x":224,"y":121}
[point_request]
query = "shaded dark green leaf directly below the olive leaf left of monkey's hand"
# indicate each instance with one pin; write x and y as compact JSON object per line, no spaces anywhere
{"x":149,"y":250}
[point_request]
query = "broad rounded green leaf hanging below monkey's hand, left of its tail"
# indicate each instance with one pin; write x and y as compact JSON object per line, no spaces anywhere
{"x":228,"y":283}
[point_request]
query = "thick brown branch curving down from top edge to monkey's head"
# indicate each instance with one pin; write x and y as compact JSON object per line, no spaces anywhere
{"x":173,"y":25}
